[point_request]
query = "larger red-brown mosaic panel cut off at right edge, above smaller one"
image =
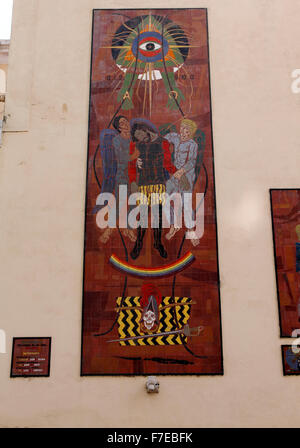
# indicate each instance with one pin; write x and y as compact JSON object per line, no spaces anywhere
{"x":286,"y":232}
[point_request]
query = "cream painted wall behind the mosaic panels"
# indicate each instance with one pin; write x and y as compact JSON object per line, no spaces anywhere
{"x":254,"y":47}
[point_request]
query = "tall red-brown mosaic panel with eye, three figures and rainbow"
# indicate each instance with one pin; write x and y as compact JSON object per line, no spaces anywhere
{"x":151,"y":301}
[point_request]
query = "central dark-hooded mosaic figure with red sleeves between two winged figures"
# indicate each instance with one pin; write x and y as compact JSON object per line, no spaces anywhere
{"x":154,"y":168}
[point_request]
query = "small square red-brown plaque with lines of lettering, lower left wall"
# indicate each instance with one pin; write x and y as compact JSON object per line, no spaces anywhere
{"x":30,"y":357}
